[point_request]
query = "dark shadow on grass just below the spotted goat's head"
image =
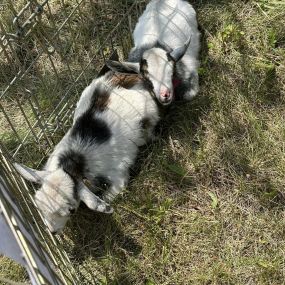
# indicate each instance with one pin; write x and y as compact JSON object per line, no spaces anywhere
{"x":98,"y":234}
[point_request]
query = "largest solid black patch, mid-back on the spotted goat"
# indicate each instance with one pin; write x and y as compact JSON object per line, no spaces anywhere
{"x":90,"y":129}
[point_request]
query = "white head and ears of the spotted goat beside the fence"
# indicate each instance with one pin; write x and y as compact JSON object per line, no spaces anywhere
{"x":60,"y":195}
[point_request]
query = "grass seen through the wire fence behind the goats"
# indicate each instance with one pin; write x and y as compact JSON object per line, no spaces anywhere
{"x":60,"y":47}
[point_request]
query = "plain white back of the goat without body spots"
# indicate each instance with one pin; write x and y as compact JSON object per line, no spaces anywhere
{"x":169,"y":21}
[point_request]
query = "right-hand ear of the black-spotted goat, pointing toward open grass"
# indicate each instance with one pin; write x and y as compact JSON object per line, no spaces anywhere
{"x":92,"y":201}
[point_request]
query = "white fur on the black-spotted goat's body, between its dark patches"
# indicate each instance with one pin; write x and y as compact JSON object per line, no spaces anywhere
{"x":125,"y":111}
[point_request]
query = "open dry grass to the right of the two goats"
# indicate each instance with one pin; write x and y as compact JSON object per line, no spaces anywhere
{"x":207,"y":203}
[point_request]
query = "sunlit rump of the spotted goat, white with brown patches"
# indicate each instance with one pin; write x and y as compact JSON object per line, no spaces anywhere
{"x":121,"y":108}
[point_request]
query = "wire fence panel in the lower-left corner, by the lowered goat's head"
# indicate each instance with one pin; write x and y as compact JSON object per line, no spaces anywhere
{"x":45,"y":264}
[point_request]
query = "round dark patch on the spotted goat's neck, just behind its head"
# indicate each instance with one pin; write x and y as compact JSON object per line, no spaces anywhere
{"x":72,"y":163}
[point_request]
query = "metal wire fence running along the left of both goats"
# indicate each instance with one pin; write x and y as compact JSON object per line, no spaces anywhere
{"x":49,"y":52}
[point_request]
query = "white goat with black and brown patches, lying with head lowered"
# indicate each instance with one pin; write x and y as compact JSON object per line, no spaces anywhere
{"x":114,"y":116}
